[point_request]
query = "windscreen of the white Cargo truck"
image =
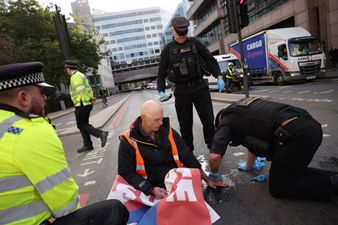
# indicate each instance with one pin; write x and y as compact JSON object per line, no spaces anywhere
{"x":304,"y":46}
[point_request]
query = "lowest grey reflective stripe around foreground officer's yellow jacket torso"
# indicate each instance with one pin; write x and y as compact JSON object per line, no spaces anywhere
{"x":22,"y":212}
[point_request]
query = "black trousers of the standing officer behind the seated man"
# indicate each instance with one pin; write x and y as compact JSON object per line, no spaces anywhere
{"x":199,"y":96}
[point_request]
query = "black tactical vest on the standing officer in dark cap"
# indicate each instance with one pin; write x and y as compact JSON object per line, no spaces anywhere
{"x":184,"y":62}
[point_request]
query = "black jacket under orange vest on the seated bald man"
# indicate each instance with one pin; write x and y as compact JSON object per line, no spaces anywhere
{"x":156,"y":154}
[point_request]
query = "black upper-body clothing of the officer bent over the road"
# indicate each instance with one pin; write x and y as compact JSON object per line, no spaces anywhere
{"x":252,"y":126}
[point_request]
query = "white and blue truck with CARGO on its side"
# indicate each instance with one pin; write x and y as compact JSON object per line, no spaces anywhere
{"x":282,"y":55}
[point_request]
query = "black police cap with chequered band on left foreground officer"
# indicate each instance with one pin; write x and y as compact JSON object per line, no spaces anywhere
{"x":21,"y":74}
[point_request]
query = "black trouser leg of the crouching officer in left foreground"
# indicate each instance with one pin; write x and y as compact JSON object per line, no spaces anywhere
{"x":109,"y":212}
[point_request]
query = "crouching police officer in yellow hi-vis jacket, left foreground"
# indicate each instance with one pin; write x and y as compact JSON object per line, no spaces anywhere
{"x":35,"y":179}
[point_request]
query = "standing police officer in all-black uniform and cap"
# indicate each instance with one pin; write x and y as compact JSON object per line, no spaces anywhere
{"x":184,"y":61}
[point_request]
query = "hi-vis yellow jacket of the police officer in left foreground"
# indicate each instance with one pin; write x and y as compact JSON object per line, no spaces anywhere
{"x":35,"y":180}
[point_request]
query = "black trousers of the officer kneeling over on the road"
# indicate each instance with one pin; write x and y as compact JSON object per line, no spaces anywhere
{"x":290,"y":176}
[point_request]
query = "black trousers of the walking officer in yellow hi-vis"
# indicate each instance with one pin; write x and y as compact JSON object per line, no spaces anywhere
{"x":82,"y":114}
